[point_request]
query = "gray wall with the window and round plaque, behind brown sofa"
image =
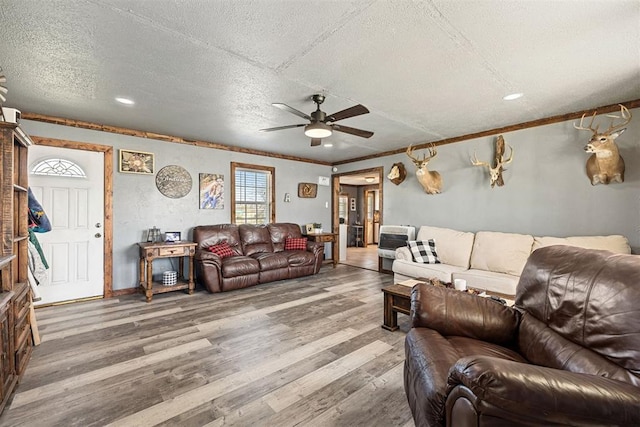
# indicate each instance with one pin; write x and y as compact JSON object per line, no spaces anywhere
{"x":138,"y":205}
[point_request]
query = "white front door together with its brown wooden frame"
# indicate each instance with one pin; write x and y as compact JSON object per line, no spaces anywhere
{"x":79,"y":247}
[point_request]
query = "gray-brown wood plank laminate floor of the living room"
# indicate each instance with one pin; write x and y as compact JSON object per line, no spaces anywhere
{"x":302,"y":352}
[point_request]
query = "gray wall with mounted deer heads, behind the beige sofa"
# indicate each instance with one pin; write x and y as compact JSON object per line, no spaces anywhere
{"x":546,"y":189}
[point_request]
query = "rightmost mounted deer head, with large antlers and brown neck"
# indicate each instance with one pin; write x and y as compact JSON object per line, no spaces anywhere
{"x":605,"y":165}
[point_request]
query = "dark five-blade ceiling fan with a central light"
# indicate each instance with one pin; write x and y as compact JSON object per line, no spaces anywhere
{"x":322,"y":125}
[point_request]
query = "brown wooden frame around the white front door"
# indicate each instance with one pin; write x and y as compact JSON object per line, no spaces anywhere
{"x":108,"y":200}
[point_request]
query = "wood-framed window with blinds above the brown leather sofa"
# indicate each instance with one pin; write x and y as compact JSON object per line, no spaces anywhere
{"x":252,"y":198}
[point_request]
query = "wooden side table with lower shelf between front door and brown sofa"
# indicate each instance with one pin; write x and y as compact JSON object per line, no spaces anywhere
{"x":151,"y":251}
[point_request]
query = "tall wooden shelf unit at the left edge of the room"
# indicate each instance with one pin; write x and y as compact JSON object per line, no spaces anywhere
{"x":15,"y":295}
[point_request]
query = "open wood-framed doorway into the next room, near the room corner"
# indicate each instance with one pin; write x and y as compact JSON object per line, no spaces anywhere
{"x":357,"y":215}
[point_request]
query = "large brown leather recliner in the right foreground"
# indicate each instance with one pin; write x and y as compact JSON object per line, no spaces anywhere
{"x":568,"y":354}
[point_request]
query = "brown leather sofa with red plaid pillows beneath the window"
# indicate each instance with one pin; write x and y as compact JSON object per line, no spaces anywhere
{"x":259,"y":255}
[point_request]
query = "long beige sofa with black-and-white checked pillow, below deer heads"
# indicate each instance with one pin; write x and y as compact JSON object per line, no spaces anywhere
{"x":488,"y":260}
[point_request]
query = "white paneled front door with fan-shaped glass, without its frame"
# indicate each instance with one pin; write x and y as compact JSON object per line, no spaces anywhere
{"x":74,"y":248}
